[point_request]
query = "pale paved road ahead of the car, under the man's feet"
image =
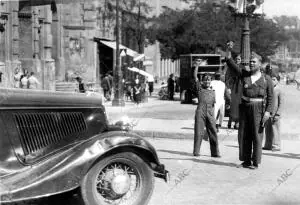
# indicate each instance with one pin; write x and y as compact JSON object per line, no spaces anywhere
{"x":219,"y":181}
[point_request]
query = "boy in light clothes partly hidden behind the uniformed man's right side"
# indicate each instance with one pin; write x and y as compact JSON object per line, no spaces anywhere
{"x":272,"y":127}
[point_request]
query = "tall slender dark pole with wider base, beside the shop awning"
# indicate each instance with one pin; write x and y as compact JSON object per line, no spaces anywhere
{"x":118,"y":88}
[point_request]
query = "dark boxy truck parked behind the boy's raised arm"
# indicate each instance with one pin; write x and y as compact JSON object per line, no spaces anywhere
{"x":187,"y":81}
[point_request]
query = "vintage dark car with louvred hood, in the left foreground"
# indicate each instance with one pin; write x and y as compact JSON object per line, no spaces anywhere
{"x":54,"y":142}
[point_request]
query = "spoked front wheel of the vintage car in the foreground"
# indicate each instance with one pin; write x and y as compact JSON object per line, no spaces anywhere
{"x":123,"y":178}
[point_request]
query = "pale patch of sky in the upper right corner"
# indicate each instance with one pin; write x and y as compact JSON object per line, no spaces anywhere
{"x":282,"y":7}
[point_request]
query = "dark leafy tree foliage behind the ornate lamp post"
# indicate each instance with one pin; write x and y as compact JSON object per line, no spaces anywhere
{"x":200,"y":29}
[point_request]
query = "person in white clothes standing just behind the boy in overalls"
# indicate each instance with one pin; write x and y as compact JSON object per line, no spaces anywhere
{"x":219,"y":88}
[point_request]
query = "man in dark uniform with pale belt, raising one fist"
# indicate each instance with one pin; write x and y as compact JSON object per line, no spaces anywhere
{"x":255,"y":109}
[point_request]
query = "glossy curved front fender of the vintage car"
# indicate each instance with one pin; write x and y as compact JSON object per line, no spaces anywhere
{"x":64,"y":170}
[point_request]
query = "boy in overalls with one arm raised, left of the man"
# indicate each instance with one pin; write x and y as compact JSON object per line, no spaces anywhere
{"x":204,"y":115}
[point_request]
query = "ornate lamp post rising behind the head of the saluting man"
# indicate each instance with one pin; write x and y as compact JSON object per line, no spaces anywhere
{"x":245,"y":9}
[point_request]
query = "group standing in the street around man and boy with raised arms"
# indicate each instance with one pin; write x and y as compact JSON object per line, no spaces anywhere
{"x":256,"y":103}
